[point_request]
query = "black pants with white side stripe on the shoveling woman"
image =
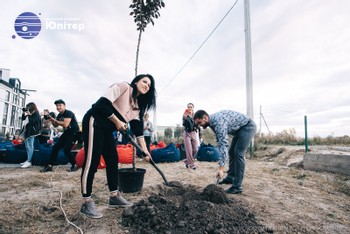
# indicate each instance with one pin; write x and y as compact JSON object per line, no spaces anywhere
{"x":97,"y":142}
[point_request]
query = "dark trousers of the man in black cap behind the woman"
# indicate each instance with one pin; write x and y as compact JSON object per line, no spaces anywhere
{"x":65,"y":142}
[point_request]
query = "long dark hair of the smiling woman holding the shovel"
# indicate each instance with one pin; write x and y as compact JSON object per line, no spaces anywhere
{"x":145,"y":101}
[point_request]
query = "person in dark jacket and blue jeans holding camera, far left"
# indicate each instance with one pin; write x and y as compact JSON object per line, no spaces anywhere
{"x":31,"y":130}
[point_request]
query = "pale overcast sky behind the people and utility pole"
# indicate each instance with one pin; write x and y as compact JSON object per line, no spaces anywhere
{"x":300,"y":58}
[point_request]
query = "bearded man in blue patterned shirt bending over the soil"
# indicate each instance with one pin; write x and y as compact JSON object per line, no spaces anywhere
{"x":243,"y":130}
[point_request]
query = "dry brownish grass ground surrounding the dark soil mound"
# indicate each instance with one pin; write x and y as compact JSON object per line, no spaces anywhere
{"x":286,"y":198}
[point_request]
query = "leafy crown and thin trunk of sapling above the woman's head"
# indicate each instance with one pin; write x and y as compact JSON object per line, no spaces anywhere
{"x":144,"y":11}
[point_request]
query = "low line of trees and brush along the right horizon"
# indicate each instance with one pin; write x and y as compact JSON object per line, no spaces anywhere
{"x":286,"y":137}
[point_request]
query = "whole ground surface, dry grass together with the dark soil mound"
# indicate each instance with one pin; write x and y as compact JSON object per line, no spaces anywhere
{"x":276,"y":197}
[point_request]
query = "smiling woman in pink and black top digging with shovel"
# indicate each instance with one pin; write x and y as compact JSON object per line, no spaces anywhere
{"x":121,"y":105}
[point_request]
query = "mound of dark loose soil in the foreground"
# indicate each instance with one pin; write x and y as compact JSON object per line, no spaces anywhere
{"x":186,"y":210}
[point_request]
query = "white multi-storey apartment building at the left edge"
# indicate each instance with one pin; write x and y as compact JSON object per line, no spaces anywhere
{"x":12,"y":100}
